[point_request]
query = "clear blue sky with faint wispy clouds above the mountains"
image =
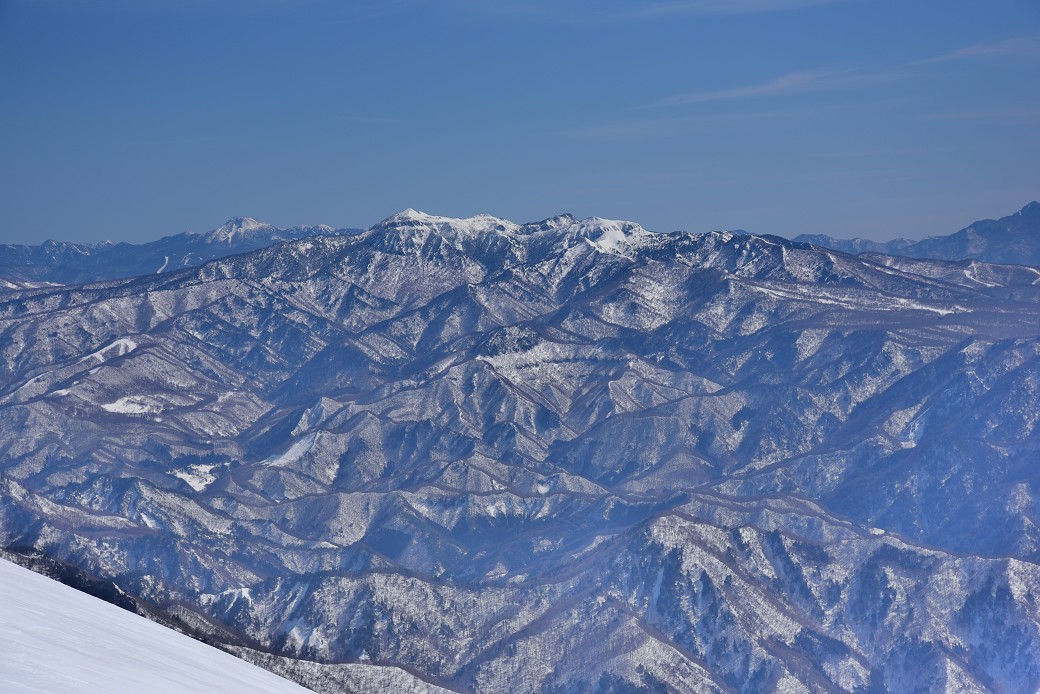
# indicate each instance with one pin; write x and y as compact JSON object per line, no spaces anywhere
{"x":135,"y":119}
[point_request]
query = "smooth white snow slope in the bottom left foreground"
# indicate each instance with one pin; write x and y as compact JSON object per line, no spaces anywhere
{"x":57,"y":639}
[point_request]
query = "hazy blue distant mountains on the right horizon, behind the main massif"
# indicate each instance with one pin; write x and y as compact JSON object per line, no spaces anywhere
{"x":1011,"y":240}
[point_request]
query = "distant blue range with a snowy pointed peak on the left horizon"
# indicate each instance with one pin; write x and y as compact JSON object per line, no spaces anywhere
{"x":60,"y":263}
